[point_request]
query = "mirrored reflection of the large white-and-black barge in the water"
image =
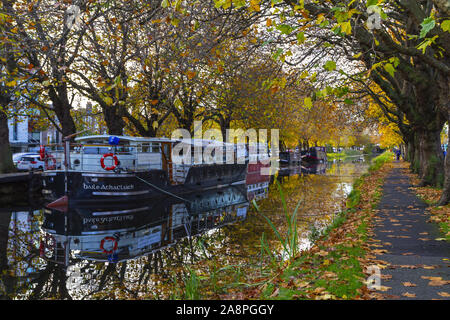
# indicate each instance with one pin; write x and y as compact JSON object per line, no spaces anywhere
{"x":122,"y":232}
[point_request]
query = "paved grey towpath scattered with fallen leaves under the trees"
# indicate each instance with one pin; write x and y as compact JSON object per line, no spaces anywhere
{"x":418,"y":265}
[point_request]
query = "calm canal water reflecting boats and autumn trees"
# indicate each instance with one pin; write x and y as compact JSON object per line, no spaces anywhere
{"x":165,"y":248}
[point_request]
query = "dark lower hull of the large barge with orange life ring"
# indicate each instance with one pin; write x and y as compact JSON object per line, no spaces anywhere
{"x":93,"y":187}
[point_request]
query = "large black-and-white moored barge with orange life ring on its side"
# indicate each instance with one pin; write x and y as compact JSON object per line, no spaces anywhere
{"x":122,"y":168}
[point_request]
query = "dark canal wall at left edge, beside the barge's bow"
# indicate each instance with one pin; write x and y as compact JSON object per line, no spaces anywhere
{"x":20,"y":188}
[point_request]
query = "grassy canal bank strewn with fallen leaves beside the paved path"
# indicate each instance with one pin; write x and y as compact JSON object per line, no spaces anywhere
{"x":335,"y":267}
